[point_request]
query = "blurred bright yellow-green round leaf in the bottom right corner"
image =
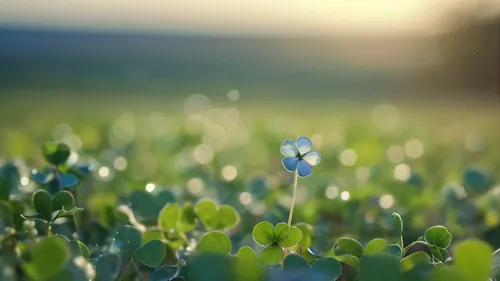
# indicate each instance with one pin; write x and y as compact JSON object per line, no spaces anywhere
{"x":473,"y":258}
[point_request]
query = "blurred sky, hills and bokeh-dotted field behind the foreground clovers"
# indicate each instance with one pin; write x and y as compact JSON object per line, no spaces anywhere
{"x":400,"y":97}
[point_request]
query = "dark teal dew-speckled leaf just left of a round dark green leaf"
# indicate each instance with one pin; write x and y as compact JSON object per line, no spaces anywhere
{"x":126,"y":240}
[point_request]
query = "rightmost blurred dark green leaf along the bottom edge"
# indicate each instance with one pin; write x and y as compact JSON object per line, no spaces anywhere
{"x":382,"y":266}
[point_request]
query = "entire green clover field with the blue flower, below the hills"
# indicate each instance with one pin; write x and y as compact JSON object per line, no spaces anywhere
{"x":130,"y":200}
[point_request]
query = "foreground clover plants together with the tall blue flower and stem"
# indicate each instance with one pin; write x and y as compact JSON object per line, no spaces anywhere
{"x":157,"y":236}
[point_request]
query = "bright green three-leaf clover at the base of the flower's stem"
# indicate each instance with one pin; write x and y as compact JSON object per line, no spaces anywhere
{"x":274,"y":239}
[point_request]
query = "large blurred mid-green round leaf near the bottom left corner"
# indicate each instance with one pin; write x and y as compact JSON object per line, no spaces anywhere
{"x":48,"y":257}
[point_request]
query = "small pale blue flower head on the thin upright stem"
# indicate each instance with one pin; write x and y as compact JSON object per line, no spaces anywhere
{"x":299,"y":156}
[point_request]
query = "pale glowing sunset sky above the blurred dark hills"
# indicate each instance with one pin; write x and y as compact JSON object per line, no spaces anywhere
{"x":234,"y":16}
